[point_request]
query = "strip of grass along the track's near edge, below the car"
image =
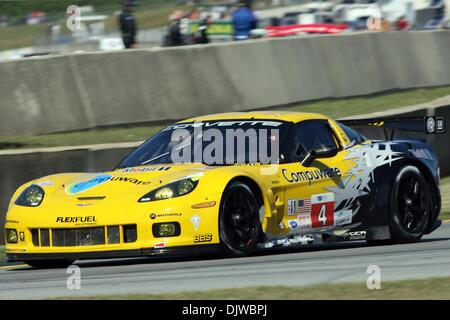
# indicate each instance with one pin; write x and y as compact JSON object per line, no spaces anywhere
{"x":433,"y":288}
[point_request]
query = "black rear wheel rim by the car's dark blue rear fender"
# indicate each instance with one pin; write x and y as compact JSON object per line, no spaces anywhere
{"x":412,"y":205}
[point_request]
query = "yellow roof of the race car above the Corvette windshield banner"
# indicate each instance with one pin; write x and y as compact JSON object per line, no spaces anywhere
{"x":263,"y":115}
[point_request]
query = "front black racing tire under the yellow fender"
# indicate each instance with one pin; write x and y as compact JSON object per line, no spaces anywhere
{"x":239,"y":224}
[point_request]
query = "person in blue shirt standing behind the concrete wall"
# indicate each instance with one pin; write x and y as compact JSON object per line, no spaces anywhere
{"x":243,"y":20}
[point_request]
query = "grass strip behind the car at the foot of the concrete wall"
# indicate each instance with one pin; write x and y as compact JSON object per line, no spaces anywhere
{"x":334,"y":108}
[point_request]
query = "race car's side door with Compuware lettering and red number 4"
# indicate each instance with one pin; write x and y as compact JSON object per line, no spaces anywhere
{"x":310,"y":189}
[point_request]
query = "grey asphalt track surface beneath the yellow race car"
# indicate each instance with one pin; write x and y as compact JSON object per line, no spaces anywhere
{"x":316,"y":264}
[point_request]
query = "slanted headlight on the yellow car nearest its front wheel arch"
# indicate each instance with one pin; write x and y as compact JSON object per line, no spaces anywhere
{"x":172,"y":190}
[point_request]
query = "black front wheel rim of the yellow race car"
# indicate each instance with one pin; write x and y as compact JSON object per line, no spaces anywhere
{"x":240,"y":219}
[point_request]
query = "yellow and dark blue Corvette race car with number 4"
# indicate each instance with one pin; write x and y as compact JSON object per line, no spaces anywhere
{"x":234,"y":182}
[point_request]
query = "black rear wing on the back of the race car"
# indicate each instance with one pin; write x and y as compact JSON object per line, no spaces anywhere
{"x":427,"y":125}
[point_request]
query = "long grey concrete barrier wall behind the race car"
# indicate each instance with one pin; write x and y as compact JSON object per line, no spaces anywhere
{"x":87,"y":90}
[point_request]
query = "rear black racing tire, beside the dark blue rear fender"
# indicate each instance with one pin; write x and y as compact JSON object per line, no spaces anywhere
{"x":410,"y":205}
